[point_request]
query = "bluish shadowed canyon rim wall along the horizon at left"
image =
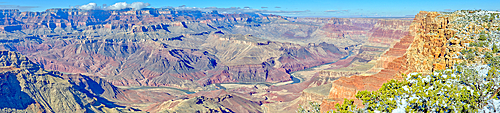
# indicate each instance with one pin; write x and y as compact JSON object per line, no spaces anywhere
{"x":110,"y":19}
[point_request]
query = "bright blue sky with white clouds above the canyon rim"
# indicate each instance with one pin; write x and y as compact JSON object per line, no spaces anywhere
{"x":313,"y":8}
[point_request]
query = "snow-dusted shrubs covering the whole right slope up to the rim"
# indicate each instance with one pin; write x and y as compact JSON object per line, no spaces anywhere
{"x":464,"y":87}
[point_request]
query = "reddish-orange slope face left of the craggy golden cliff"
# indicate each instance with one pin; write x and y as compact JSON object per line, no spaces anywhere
{"x":394,"y":62}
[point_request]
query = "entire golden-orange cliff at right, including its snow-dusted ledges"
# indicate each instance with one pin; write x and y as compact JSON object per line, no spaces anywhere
{"x":431,"y":44}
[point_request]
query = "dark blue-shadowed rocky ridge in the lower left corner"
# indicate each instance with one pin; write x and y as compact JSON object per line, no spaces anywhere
{"x":25,"y":87}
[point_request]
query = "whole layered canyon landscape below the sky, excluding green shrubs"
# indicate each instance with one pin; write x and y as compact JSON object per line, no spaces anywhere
{"x":169,"y":60}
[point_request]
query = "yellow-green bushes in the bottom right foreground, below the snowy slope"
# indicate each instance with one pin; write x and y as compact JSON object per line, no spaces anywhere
{"x":460,"y":90}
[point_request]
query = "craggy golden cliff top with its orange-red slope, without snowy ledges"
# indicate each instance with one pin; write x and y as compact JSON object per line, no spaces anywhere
{"x":404,"y":57}
